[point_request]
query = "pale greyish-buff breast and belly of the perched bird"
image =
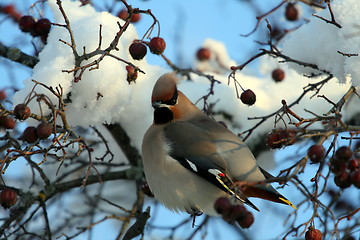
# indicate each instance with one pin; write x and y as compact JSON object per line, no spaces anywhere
{"x":175,"y":186}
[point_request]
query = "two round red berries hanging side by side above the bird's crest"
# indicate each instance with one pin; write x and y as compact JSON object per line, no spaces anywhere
{"x":138,"y":49}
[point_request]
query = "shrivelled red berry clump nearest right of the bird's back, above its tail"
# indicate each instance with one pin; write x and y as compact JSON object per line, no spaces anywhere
{"x":278,"y":138}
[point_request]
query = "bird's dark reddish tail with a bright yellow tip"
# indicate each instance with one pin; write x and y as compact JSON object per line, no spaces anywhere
{"x":266,"y":192}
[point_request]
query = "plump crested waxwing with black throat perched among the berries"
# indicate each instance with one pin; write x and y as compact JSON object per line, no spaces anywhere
{"x":190,"y":160}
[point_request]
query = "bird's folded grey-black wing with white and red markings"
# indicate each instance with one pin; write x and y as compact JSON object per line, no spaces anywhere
{"x":196,"y":149}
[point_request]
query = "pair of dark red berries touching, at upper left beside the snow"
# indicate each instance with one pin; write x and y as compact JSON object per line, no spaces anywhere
{"x":39,"y":28}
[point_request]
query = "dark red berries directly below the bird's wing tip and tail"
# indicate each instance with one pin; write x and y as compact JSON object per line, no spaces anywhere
{"x":232,"y":213}
